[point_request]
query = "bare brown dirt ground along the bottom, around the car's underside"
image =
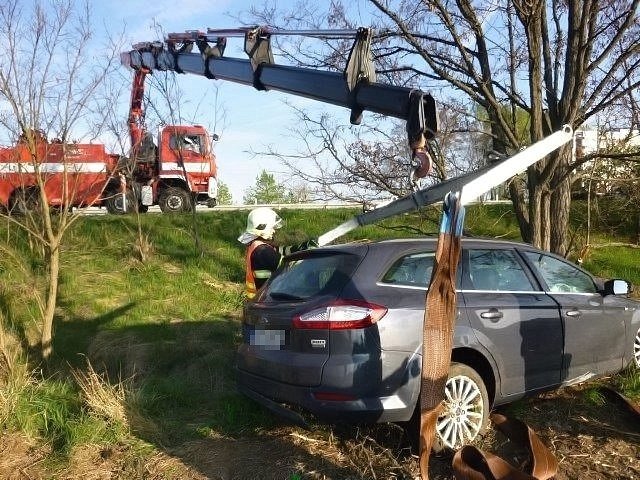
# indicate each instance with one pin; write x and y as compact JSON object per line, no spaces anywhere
{"x":599,"y":442}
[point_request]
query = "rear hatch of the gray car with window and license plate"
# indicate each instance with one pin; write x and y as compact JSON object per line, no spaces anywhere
{"x":273,"y":347}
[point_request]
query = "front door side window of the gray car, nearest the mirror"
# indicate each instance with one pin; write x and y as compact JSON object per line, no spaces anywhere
{"x":561,"y":276}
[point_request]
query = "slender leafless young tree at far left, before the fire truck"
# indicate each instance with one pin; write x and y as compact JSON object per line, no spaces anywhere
{"x":48,"y":75}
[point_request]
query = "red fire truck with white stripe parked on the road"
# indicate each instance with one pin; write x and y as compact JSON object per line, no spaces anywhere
{"x":176,"y":172}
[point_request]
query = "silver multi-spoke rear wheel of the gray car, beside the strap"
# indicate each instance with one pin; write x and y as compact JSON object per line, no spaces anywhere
{"x":465,"y":409}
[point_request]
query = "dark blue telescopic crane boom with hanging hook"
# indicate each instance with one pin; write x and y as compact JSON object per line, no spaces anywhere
{"x":355,"y":88}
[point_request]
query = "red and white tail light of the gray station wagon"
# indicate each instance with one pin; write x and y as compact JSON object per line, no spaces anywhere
{"x":341,"y":315}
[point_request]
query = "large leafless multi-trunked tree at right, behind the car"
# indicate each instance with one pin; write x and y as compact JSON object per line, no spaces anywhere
{"x":560,"y":62}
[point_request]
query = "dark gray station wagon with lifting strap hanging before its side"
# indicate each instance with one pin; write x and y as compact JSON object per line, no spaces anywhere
{"x":337,"y":332}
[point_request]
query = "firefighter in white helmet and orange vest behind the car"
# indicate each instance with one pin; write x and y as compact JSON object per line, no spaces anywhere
{"x":263,"y":257}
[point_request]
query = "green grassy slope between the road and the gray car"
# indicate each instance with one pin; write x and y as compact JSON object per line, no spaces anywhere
{"x":170,"y":326}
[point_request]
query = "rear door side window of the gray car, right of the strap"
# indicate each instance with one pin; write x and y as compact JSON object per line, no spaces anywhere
{"x":497,"y":270}
